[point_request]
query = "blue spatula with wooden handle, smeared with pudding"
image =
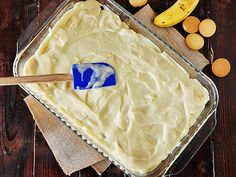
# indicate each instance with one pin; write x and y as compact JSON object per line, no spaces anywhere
{"x":84,"y":76}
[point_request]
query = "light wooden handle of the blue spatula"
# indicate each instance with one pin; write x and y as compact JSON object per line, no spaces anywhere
{"x":34,"y":79}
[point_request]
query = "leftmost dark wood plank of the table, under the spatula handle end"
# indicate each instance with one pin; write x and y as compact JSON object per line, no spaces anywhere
{"x":16,"y":125}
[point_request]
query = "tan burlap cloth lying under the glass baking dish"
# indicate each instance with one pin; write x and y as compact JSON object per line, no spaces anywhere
{"x":71,"y":152}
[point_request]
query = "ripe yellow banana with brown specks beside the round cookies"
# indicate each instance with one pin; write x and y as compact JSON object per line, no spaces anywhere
{"x":176,"y":13}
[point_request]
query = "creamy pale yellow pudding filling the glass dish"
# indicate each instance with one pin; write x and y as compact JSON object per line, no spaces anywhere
{"x":140,"y":120}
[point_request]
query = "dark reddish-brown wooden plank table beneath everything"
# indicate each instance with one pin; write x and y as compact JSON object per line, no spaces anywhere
{"x":24,"y":151}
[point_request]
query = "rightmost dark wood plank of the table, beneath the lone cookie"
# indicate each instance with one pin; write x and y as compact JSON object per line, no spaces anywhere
{"x":225,"y":46}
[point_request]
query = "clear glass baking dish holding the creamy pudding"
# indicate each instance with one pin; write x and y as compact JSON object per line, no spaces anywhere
{"x":198,"y":133}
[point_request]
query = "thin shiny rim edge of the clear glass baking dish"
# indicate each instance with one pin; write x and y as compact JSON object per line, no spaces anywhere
{"x":15,"y":72}
